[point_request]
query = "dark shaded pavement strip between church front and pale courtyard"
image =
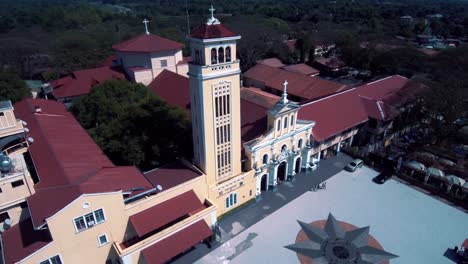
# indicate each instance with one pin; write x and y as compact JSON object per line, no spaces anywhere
{"x":240,"y":220}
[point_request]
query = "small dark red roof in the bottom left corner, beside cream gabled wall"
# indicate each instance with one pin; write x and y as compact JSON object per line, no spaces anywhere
{"x":22,"y":240}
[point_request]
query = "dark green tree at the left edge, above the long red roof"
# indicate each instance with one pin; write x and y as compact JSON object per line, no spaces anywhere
{"x":12,"y":87}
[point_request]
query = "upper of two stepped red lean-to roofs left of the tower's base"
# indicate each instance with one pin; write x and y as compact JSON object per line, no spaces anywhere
{"x":168,"y":211}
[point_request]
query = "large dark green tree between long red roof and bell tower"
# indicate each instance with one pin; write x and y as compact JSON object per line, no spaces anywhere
{"x":133,"y":126}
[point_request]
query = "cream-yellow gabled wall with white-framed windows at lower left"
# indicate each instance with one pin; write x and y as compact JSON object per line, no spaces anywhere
{"x":81,"y":247}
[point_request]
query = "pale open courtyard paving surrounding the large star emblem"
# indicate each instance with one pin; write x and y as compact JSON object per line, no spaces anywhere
{"x":406,"y":222}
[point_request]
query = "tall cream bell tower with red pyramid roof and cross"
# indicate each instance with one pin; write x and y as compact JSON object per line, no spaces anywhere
{"x":214,"y":75}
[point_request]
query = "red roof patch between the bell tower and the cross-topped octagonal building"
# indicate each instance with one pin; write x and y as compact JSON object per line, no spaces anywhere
{"x":172,"y":88}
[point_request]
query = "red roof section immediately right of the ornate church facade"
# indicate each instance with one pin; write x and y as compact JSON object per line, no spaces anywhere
{"x":334,"y":114}
